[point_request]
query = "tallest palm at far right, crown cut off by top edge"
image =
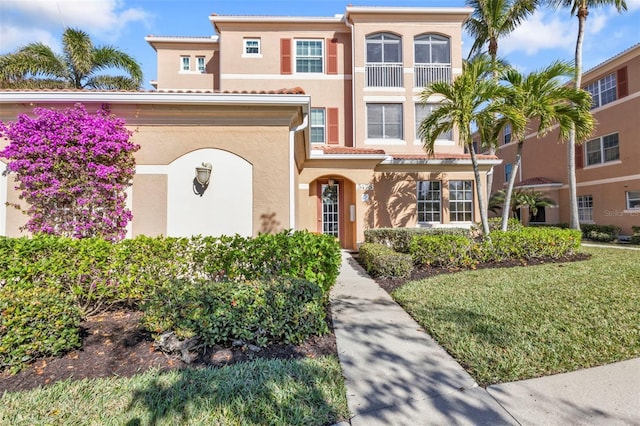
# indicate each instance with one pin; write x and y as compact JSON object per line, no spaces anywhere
{"x":579,"y":8}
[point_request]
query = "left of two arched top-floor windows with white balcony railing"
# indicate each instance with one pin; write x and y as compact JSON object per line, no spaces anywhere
{"x":383,"y":60}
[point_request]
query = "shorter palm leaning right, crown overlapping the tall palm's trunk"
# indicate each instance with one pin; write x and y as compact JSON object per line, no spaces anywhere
{"x":545,"y":97}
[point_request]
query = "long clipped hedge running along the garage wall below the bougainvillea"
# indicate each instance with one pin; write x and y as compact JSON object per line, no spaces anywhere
{"x":101,"y":274}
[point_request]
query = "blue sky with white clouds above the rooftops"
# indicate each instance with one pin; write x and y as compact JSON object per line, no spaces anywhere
{"x":546,"y":36}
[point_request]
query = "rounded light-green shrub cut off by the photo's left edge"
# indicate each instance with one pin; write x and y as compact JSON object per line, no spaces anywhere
{"x":36,"y":321}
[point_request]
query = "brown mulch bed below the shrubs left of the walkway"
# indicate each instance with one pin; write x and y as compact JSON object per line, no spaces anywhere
{"x":115,"y":344}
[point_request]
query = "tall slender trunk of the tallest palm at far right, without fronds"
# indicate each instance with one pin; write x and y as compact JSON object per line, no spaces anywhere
{"x":574,"y":222}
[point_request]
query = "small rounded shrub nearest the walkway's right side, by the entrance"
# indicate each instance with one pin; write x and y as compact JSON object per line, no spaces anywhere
{"x":380,"y":260}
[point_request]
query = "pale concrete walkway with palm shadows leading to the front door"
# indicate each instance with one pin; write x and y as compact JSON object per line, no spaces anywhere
{"x":396,"y":374}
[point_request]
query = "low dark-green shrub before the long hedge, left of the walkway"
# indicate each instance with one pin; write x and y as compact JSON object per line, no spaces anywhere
{"x":279,"y":310}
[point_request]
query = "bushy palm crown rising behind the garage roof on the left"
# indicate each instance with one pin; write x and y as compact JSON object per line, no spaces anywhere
{"x":37,"y":66}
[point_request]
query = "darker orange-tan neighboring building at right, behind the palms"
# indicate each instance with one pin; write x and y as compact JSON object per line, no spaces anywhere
{"x":607,"y":165}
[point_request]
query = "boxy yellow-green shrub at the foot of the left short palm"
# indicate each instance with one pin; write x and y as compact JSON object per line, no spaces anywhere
{"x":445,"y":251}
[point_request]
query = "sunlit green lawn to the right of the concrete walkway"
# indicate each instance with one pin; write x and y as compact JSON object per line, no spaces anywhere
{"x":514,"y":323}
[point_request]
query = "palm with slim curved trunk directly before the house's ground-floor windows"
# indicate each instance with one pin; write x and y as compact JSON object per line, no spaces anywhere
{"x":471,"y":100}
